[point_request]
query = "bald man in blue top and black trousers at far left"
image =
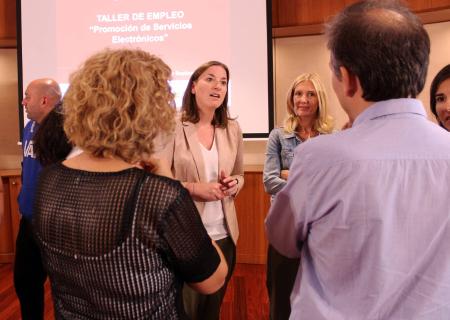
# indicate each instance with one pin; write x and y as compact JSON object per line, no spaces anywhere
{"x":41,"y":96}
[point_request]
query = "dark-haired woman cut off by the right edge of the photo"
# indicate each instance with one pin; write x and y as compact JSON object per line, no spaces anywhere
{"x":440,"y":97}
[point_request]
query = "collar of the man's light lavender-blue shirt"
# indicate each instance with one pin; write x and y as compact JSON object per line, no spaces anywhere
{"x":390,"y":107}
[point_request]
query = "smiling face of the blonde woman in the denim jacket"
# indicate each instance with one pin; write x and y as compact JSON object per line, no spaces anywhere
{"x":305,"y":100}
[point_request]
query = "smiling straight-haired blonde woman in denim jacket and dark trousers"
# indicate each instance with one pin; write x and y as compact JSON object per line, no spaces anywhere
{"x":308,"y":117}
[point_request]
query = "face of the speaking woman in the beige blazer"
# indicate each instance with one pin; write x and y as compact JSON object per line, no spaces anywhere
{"x":210,"y":88}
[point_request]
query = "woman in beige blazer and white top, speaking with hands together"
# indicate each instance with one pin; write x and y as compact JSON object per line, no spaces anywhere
{"x":206,"y":156}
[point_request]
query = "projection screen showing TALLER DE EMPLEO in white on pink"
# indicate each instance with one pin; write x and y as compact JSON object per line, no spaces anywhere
{"x":57,"y":36}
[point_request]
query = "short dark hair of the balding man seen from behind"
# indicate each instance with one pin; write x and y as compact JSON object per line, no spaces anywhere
{"x":384,"y":44}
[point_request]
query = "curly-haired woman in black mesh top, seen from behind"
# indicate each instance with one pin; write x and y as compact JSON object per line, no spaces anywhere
{"x":119,"y":242}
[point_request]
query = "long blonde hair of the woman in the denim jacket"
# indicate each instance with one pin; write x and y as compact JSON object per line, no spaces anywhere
{"x":324,"y":123}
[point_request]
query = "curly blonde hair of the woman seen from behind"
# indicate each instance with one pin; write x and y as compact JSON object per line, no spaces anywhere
{"x":118,"y":102}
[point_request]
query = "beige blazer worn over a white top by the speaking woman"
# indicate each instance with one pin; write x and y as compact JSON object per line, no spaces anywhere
{"x":186,"y":161}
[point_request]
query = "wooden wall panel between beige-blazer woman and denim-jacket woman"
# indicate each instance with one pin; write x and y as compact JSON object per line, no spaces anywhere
{"x":252,"y":205}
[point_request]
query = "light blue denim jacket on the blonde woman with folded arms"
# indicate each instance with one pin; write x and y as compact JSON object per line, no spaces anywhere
{"x":279,"y":156}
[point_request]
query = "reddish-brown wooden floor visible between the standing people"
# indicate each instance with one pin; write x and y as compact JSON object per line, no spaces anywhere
{"x":246,"y":297}
